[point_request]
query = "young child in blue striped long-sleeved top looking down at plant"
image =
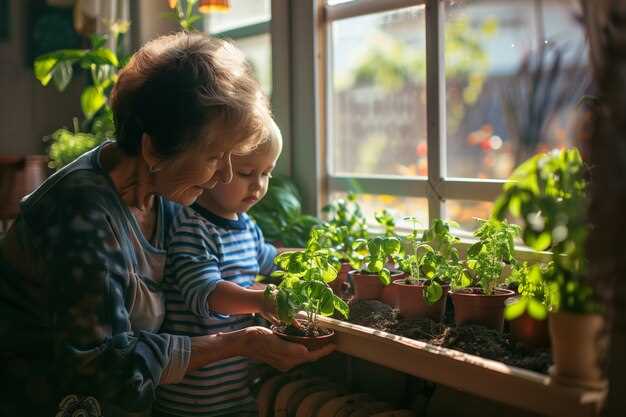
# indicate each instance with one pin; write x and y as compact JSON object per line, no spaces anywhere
{"x":215,"y":253}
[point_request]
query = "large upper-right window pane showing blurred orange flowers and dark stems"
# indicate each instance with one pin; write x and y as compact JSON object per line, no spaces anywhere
{"x":497,"y":85}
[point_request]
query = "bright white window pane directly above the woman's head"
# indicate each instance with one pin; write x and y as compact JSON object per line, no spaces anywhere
{"x":241,"y":13}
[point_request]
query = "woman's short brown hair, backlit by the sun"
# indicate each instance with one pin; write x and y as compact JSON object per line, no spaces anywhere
{"x":177,"y":86}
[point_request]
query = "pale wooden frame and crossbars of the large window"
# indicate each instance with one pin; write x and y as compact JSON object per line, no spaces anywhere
{"x":437,"y":187}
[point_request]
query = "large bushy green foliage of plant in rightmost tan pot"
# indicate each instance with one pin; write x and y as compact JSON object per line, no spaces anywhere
{"x":548,"y":194}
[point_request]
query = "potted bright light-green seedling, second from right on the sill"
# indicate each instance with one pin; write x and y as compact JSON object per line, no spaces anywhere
{"x":528,"y":311}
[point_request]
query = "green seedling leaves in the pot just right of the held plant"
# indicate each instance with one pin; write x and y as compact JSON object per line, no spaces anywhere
{"x":372,"y":255}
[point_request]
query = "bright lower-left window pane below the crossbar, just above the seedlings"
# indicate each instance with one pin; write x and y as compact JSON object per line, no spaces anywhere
{"x":398,"y":206}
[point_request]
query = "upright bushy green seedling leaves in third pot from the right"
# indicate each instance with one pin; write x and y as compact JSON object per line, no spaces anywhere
{"x":487,"y":257}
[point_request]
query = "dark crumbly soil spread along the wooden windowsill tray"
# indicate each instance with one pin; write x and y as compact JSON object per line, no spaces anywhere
{"x":472,"y":339}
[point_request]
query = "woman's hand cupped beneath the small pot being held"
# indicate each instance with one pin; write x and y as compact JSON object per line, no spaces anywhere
{"x":263,"y":345}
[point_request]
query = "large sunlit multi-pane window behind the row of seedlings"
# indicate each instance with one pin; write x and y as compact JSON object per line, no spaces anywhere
{"x":431,"y":104}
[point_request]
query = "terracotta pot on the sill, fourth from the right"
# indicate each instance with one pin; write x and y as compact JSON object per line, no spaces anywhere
{"x":411,"y":303}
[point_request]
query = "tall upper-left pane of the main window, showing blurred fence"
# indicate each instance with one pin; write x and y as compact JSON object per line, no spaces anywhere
{"x":377,"y":109}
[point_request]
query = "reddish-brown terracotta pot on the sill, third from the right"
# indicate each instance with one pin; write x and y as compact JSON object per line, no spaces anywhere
{"x":471,"y":306}
